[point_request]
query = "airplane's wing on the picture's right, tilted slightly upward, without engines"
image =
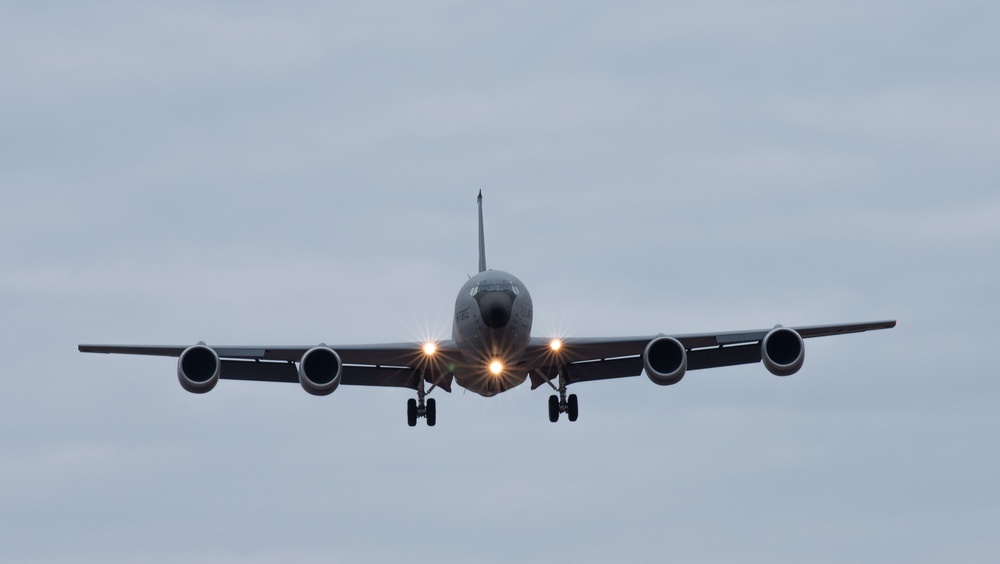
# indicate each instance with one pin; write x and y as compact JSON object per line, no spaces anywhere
{"x":619,"y":357}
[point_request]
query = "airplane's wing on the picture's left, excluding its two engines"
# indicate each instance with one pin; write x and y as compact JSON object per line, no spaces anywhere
{"x":393,"y":364}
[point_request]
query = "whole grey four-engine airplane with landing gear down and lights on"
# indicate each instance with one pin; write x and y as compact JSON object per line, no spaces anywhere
{"x":491,"y":351}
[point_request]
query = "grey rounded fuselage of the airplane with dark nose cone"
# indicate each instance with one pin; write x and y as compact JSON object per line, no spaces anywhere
{"x":493,"y":314}
